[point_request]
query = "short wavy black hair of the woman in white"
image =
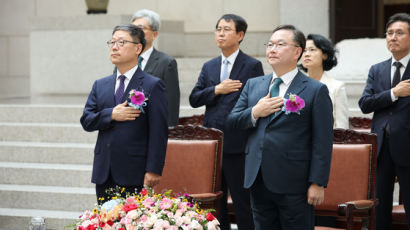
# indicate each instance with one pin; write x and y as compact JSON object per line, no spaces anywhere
{"x":326,"y":46}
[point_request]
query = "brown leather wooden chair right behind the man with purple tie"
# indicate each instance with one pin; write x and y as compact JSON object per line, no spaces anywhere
{"x":193,"y":164}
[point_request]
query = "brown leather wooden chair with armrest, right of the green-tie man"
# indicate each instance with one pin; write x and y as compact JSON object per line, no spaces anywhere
{"x":351,"y":192}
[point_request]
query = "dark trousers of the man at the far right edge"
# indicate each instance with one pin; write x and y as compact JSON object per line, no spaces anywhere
{"x":387,"y":170}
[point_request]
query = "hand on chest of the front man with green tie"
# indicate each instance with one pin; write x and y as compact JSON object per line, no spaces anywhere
{"x":266,"y":106}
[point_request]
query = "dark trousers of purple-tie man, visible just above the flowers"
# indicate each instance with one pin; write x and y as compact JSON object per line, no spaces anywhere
{"x":104,"y":194}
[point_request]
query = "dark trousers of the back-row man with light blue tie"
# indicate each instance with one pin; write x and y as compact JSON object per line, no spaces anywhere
{"x":233,"y":171}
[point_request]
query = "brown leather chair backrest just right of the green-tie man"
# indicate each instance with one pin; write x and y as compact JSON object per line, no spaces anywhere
{"x":353,"y":170}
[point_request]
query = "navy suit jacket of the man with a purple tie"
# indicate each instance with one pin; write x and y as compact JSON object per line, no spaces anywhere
{"x":128,"y":149}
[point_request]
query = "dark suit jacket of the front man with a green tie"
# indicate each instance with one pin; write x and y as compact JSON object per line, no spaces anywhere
{"x":291,"y":150}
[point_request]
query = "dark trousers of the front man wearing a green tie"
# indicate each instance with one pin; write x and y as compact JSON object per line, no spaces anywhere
{"x":273,"y":211}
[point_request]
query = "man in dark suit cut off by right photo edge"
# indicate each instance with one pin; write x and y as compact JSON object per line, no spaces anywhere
{"x":387,"y":95}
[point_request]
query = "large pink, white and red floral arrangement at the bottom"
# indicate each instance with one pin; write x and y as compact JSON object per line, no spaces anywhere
{"x":148,"y":211}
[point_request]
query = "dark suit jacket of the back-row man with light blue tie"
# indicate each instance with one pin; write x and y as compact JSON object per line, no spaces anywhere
{"x":218,"y":108}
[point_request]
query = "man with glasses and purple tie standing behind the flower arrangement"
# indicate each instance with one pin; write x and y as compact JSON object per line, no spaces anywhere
{"x":131,"y":144}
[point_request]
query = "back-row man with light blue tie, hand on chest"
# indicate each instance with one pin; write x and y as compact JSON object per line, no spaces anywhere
{"x":218,"y":88}
